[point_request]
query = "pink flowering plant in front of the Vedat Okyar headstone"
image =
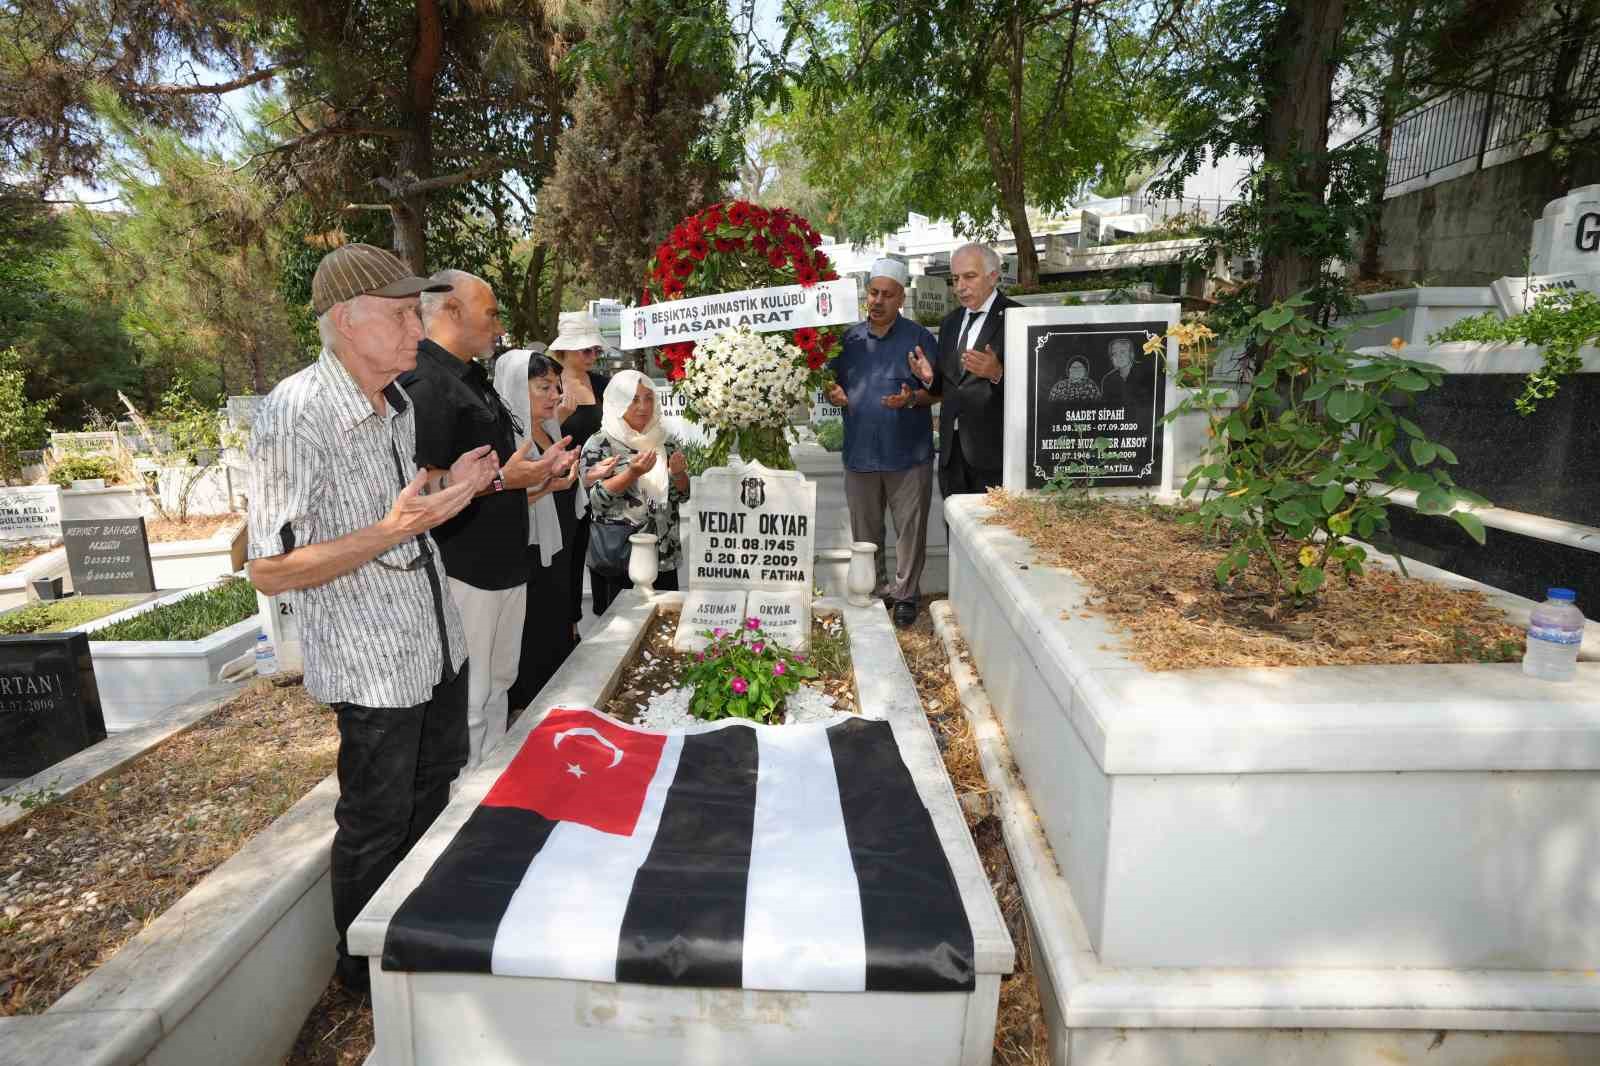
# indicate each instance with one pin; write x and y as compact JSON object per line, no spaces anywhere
{"x":743,"y":675}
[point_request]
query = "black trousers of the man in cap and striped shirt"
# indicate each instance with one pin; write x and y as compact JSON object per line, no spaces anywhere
{"x":396,"y":766}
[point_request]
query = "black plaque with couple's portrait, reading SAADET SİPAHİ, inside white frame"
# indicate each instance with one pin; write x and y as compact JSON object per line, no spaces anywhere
{"x":1095,"y":404}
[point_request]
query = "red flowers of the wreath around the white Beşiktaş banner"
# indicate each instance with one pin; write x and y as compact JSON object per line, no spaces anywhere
{"x":740,"y":246}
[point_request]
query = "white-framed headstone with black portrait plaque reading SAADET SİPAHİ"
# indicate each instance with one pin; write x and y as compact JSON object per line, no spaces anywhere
{"x":1094,"y":403}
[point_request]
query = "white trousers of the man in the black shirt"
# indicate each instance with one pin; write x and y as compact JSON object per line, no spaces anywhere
{"x":494,"y":623}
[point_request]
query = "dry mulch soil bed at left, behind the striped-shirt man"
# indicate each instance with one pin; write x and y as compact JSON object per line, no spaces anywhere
{"x":84,"y":875}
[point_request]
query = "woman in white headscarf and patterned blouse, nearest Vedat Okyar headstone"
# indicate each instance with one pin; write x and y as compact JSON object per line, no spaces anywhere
{"x":646,"y":481}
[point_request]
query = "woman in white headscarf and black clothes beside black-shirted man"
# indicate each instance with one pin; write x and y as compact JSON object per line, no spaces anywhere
{"x":530,"y":387}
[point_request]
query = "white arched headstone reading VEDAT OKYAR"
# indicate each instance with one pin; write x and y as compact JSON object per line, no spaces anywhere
{"x":753,"y":529}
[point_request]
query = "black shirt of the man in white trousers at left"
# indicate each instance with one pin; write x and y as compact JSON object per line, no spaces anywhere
{"x":458,"y":411}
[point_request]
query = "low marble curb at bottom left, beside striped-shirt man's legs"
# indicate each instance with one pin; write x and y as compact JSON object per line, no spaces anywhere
{"x":228,"y":974}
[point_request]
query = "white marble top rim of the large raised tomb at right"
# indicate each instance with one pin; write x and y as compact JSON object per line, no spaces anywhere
{"x":1332,"y":719}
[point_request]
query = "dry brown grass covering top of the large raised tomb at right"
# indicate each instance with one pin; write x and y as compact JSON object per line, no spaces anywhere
{"x":1156,"y":582}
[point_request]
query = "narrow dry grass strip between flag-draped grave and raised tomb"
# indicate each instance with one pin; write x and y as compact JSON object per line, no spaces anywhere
{"x":1022,"y":1038}
